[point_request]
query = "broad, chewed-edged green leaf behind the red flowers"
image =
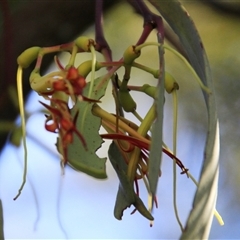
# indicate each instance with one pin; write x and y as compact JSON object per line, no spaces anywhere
{"x":88,"y":125}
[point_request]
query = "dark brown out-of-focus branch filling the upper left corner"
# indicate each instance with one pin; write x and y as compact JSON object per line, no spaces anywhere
{"x":37,"y":23}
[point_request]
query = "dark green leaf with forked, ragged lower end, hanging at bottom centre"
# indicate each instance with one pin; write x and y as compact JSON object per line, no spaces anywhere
{"x":126,"y":195}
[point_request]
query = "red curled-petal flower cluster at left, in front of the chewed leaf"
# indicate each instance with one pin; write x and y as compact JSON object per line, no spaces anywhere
{"x":68,"y":83}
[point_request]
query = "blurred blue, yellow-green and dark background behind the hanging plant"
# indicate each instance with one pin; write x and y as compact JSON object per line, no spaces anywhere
{"x":77,"y":206}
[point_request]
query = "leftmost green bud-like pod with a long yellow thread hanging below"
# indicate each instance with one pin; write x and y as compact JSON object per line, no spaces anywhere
{"x":28,"y":56}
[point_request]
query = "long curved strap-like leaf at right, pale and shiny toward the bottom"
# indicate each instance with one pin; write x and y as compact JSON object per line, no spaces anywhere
{"x":200,"y":218}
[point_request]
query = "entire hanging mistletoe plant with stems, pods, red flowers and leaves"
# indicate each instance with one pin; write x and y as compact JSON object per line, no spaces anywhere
{"x":75,"y":113}
